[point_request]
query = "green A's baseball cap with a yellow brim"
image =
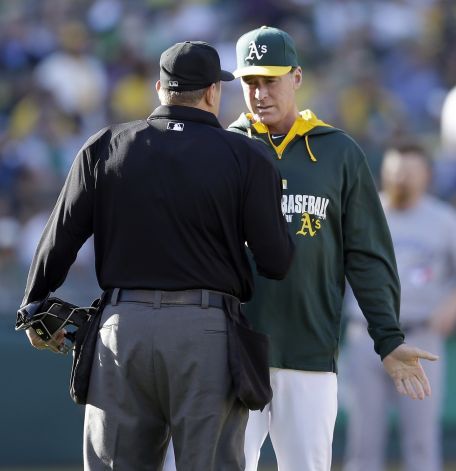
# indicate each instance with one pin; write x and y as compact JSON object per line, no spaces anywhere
{"x":265,"y":51}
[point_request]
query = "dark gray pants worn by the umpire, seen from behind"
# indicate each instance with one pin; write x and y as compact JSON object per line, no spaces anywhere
{"x":157,"y":373}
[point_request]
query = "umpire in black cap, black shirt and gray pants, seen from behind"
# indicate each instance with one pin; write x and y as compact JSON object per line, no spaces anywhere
{"x":172,"y":202}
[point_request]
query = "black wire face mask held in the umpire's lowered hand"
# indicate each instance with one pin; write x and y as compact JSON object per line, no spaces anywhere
{"x":51,"y":315}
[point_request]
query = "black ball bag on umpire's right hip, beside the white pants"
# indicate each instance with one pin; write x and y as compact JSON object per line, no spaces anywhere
{"x":248,"y":356}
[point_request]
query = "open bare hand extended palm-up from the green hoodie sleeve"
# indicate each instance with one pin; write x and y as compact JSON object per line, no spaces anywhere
{"x":403,"y":365}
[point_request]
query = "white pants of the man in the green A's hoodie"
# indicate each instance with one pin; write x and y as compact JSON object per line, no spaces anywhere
{"x":300,"y":420}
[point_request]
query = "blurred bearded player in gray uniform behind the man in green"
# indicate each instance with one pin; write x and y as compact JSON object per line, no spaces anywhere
{"x":423,"y":229}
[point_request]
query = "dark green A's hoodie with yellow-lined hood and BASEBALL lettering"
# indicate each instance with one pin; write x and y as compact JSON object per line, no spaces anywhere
{"x":331,"y":204}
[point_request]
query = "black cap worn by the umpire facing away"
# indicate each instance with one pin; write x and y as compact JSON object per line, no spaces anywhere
{"x":191,"y":65}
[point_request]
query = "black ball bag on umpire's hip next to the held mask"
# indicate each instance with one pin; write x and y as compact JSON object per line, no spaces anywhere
{"x":83,"y":353}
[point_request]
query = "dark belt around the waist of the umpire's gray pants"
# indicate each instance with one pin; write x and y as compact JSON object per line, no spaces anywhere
{"x":198,"y":297}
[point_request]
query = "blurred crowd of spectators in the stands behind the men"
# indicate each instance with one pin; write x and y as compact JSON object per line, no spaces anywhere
{"x":376,"y":68}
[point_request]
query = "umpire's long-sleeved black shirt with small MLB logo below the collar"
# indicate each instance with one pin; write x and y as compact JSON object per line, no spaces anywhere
{"x":171,"y":201}
